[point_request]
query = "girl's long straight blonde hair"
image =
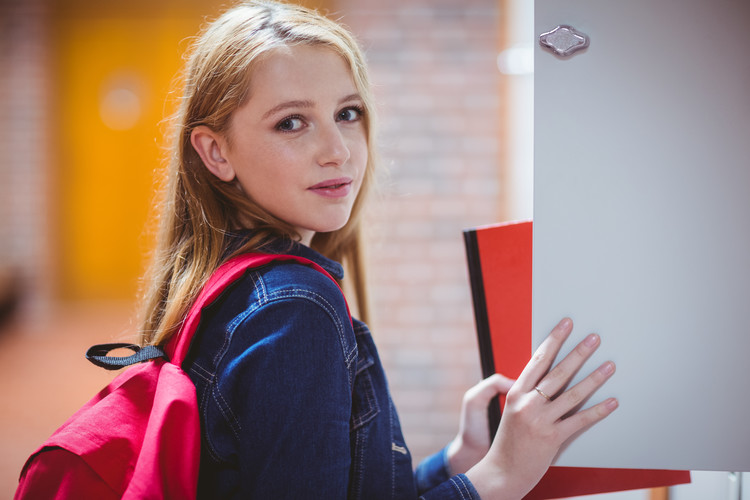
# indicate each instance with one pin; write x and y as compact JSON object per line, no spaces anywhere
{"x":198,"y":209}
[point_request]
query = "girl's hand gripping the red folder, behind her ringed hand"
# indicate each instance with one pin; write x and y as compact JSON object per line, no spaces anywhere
{"x":473,"y":439}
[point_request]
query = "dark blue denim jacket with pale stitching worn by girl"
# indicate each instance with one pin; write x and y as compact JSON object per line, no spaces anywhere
{"x":293,"y":398}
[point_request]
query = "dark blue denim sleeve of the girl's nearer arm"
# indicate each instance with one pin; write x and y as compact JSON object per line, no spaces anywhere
{"x":288,"y":399}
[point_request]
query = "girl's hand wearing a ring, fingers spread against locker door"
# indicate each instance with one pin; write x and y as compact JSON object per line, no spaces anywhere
{"x":540,"y":415}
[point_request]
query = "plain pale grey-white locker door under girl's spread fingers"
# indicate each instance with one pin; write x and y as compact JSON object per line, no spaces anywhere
{"x":642,"y":222}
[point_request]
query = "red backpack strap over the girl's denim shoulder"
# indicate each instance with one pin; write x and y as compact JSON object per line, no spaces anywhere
{"x":225,"y":275}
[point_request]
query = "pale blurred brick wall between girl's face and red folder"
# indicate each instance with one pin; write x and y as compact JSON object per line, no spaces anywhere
{"x":433,"y":64}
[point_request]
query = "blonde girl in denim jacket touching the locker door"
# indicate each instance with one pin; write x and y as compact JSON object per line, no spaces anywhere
{"x":274,"y":152}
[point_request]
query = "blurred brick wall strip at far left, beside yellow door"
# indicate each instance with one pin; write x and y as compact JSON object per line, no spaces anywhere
{"x":24,"y":177}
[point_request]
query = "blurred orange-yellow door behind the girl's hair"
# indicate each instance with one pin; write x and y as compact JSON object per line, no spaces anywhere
{"x":116,"y":64}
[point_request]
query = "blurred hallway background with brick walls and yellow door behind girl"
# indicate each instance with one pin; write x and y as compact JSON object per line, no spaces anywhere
{"x":84,"y":90}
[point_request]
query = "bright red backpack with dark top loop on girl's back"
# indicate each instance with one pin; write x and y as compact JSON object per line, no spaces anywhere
{"x":139,"y":438}
